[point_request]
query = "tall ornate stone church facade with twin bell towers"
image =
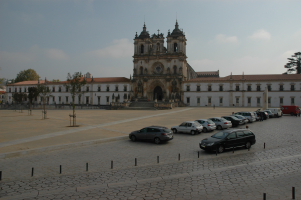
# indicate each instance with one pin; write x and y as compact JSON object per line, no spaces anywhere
{"x":158,"y":71}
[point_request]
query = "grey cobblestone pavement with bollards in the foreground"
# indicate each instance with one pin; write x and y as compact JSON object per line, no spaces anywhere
{"x":240,"y":175}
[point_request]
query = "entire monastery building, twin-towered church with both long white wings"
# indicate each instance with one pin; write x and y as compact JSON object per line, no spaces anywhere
{"x":161,"y":73}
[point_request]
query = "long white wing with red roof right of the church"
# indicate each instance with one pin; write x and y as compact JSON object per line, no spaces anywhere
{"x":243,"y":90}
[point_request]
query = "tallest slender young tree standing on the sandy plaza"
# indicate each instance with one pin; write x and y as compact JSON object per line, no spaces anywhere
{"x":73,"y":85}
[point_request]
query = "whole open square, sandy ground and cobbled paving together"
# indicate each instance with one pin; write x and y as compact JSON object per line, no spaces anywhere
{"x":177,"y":169}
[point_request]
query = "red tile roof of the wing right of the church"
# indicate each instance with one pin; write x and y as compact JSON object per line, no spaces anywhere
{"x":254,"y":77}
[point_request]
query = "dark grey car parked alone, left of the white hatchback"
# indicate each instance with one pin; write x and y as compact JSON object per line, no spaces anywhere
{"x":154,"y":133}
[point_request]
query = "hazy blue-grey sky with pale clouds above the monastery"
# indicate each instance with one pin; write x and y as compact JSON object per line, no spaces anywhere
{"x":55,"y":37}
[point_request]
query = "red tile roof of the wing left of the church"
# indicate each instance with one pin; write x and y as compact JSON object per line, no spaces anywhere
{"x":89,"y":80}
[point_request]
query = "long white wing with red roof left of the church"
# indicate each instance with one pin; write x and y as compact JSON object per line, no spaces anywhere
{"x":97,"y":91}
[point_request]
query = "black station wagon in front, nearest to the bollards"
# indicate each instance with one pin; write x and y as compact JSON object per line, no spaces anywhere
{"x":228,"y":139}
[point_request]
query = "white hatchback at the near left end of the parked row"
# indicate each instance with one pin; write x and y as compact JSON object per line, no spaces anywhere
{"x":191,"y":127}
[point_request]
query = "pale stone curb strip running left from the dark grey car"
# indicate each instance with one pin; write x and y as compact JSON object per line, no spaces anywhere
{"x":60,"y":147}
